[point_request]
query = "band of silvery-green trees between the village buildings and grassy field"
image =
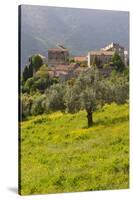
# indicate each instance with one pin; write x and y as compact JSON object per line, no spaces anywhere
{"x":89,"y":91}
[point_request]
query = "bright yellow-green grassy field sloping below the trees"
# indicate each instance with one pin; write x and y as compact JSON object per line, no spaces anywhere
{"x":60,"y":154}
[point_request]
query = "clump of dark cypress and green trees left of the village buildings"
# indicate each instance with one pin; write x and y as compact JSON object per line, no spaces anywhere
{"x":35,"y":77}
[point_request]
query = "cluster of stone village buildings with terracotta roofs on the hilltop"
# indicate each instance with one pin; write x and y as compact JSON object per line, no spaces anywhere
{"x":62,"y":65}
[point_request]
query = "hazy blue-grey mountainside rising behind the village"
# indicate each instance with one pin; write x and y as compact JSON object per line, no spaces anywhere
{"x":80,"y":30}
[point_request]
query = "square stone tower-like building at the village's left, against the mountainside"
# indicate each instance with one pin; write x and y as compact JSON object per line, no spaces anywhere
{"x":58,"y":56}
